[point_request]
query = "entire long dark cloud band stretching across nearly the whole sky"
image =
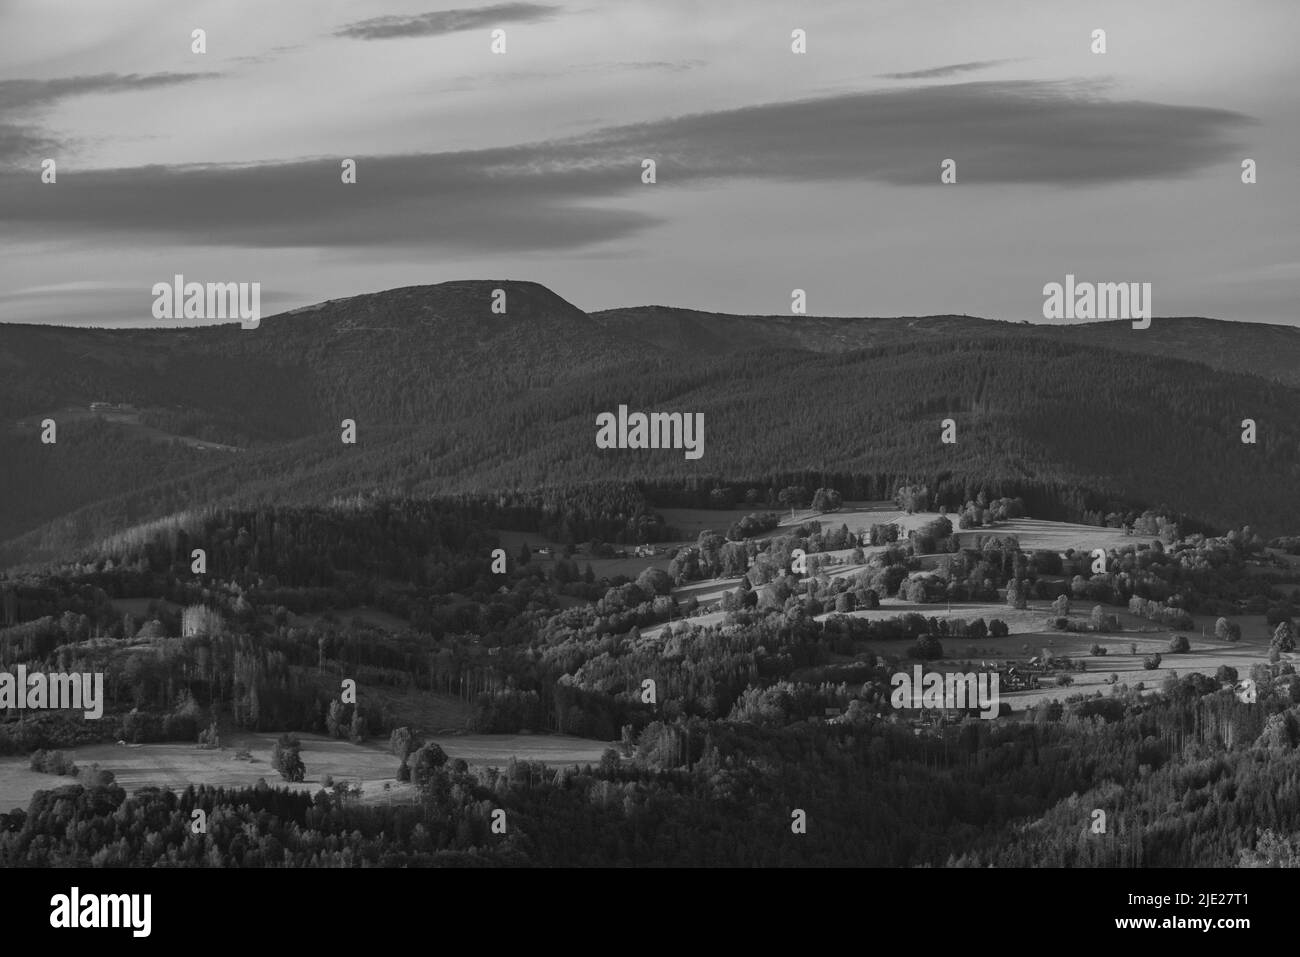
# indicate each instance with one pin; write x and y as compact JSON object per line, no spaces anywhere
{"x":564,"y":193}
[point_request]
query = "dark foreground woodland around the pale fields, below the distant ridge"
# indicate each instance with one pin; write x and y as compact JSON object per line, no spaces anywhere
{"x":777,"y":711}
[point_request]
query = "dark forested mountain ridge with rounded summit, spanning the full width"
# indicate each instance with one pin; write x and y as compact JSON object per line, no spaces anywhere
{"x":452,"y":399}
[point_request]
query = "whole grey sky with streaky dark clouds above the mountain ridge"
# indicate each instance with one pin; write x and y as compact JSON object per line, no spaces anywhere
{"x":775,"y":171}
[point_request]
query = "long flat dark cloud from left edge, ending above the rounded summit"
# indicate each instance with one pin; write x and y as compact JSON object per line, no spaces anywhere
{"x":474,"y":201}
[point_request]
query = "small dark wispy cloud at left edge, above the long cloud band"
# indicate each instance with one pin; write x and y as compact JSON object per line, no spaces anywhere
{"x":23,"y":140}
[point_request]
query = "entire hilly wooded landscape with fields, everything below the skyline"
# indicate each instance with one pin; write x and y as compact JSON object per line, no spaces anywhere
{"x":720,"y":638}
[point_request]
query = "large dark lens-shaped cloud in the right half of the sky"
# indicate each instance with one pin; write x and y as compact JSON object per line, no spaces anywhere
{"x":1015,"y":133}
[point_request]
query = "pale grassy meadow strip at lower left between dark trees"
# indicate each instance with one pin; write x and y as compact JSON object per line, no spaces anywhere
{"x":180,"y":765}
